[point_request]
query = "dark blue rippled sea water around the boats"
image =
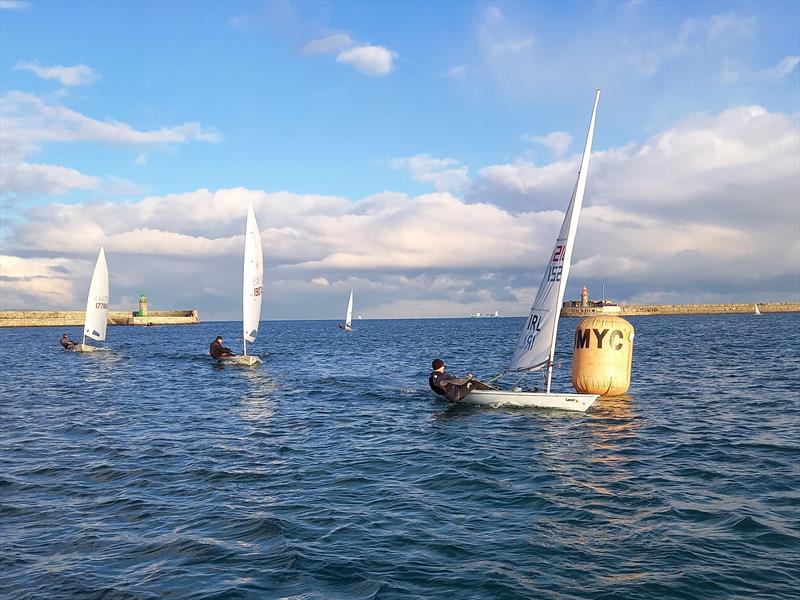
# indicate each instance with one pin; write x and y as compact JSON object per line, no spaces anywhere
{"x":332,"y":472}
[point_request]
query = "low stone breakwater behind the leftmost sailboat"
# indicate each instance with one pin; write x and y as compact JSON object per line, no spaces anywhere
{"x":56,"y":318}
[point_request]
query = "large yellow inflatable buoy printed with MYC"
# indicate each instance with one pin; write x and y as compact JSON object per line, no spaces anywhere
{"x":602,"y":356}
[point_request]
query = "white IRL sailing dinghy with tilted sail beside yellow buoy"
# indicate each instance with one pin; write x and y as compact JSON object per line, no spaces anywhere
{"x":537,"y":342}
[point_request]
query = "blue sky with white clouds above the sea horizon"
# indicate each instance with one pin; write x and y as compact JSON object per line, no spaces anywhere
{"x":422,"y":154}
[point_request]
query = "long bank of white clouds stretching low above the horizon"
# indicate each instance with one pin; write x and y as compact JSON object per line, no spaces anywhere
{"x":703,"y":208}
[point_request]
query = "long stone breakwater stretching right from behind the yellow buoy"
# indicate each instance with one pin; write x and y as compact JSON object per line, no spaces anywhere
{"x":679,"y":309}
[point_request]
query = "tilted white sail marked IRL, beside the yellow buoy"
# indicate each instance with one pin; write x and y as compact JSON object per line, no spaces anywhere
{"x":536,"y":344}
